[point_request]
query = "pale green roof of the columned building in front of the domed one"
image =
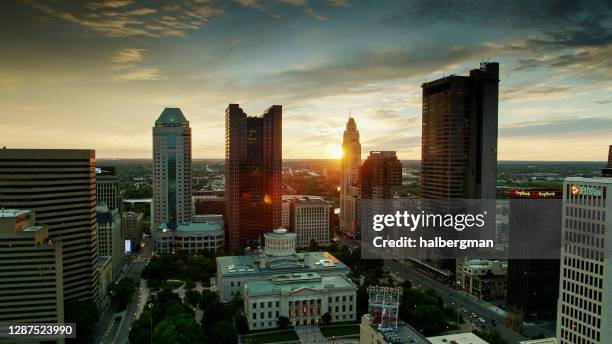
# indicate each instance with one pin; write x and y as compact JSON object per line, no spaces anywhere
{"x":295,"y":282}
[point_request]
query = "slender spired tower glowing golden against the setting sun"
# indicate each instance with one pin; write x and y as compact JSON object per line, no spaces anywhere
{"x":349,"y":183}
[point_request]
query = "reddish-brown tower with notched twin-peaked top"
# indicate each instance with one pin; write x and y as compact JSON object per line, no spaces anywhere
{"x":253,"y":167}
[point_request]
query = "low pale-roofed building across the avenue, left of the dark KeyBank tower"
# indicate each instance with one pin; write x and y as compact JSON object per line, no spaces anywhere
{"x":483,"y":278}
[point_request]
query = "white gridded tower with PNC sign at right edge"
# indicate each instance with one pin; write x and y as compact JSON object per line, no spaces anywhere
{"x":584,"y":312}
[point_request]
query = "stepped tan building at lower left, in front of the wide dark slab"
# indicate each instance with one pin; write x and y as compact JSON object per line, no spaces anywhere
{"x":31,"y":286}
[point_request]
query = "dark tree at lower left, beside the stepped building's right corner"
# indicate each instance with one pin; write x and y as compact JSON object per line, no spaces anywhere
{"x":85,"y":315}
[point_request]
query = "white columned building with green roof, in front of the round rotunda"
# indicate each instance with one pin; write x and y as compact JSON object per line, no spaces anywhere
{"x":301,"y":297}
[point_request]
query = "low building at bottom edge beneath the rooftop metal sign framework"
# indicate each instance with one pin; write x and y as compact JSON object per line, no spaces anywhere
{"x":372,"y":333}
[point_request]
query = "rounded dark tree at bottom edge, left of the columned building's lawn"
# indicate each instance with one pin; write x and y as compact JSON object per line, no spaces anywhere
{"x":179,"y":329}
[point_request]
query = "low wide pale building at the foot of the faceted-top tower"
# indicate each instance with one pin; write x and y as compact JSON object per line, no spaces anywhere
{"x":204,"y":233}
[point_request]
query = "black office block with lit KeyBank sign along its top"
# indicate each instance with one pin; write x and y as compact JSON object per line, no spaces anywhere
{"x":533,"y":286}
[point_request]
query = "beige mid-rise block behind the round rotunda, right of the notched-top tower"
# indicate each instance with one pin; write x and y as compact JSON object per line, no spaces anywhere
{"x":309,"y":217}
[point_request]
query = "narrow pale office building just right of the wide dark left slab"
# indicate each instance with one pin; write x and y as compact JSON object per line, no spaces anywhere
{"x":110,"y":239}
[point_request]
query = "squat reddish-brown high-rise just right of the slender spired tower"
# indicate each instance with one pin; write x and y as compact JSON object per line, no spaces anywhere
{"x":381,"y":175}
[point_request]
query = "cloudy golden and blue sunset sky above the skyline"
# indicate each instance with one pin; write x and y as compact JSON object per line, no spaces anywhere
{"x":98,"y":74}
